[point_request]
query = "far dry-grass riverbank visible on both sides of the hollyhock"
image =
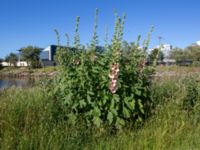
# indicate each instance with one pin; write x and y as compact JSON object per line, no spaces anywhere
{"x":51,"y":71}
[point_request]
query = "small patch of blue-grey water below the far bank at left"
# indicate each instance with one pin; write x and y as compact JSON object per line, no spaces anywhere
{"x":15,"y":82}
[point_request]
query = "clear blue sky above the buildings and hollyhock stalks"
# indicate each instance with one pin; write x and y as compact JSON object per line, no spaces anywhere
{"x":32,"y":22}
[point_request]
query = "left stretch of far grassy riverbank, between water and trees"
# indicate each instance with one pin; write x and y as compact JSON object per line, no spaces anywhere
{"x":24,"y":72}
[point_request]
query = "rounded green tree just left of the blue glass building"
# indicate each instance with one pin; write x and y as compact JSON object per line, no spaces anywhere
{"x":31,"y":55}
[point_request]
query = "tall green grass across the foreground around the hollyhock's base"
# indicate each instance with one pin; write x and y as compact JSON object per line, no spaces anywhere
{"x":27,"y":122}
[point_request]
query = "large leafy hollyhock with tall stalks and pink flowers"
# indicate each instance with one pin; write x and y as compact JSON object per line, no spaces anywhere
{"x":110,"y":88}
